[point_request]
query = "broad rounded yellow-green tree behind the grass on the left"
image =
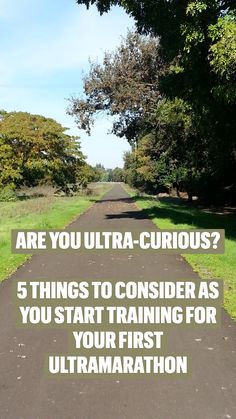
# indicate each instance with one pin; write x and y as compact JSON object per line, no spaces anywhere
{"x":35,"y":149}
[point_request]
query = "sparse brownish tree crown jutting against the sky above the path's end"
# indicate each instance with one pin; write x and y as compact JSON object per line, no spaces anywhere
{"x":126,"y":86}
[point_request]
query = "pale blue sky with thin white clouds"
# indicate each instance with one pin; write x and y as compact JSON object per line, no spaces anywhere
{"x":45,"y":46}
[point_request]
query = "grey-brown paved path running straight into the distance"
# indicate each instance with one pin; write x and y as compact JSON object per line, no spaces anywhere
{"x":25,"y":392}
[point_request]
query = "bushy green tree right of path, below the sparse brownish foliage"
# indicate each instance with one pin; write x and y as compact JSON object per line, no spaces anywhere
{"x":162,"y":158}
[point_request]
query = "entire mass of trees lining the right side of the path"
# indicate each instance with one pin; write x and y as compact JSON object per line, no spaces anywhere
{"x":170,"y":88}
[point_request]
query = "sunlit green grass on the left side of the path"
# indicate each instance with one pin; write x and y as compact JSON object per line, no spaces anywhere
{"x":39,"y":213}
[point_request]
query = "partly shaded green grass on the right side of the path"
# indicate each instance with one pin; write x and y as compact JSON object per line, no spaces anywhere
{"x":168,"y":213}
